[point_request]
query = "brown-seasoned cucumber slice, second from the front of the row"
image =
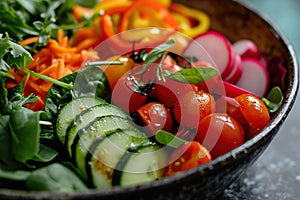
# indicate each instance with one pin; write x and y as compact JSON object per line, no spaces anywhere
{"x":105,"y":153}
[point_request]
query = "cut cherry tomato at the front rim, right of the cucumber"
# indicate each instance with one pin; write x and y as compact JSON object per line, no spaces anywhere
{"x":187,"y":156}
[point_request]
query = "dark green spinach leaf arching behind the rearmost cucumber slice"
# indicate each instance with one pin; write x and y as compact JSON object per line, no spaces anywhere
{"x":90,"y":81}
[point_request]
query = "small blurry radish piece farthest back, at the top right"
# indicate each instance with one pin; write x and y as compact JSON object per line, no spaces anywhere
{"x":246,"y":48}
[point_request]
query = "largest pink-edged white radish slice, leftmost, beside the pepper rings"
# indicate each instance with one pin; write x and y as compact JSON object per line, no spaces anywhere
{"x":216,"y":46}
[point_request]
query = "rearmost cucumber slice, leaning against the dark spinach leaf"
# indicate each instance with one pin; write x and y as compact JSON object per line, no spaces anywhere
{"x":70,"y":111}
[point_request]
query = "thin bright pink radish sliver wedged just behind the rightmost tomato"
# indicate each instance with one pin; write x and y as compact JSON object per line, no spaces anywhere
{"x":225,"y":88}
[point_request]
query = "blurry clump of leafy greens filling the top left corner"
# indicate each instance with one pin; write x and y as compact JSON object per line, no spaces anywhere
{"x":21,"y":18}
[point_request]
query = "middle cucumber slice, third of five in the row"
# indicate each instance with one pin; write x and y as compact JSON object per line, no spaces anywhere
{"x":98,"y":128}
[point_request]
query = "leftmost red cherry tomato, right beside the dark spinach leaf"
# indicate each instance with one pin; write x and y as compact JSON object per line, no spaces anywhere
{"x":123,"y":97}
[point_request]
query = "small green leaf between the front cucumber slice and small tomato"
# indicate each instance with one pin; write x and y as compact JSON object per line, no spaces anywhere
{"x":168,"y":139}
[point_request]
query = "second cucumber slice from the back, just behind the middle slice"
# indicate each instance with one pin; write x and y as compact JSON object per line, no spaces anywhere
{"x":85,"y":117}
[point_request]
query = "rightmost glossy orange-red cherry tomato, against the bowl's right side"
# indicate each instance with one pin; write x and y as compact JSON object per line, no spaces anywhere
{"x":255,"y":112}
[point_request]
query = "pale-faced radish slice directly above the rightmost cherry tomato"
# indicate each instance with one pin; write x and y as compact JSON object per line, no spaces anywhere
{"x":255,"y":77}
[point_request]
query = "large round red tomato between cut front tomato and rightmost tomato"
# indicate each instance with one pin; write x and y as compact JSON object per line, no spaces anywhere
{"x":220,"y":133}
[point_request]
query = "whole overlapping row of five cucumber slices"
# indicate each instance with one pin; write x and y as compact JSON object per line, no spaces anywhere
{"x":108,"y":150}
